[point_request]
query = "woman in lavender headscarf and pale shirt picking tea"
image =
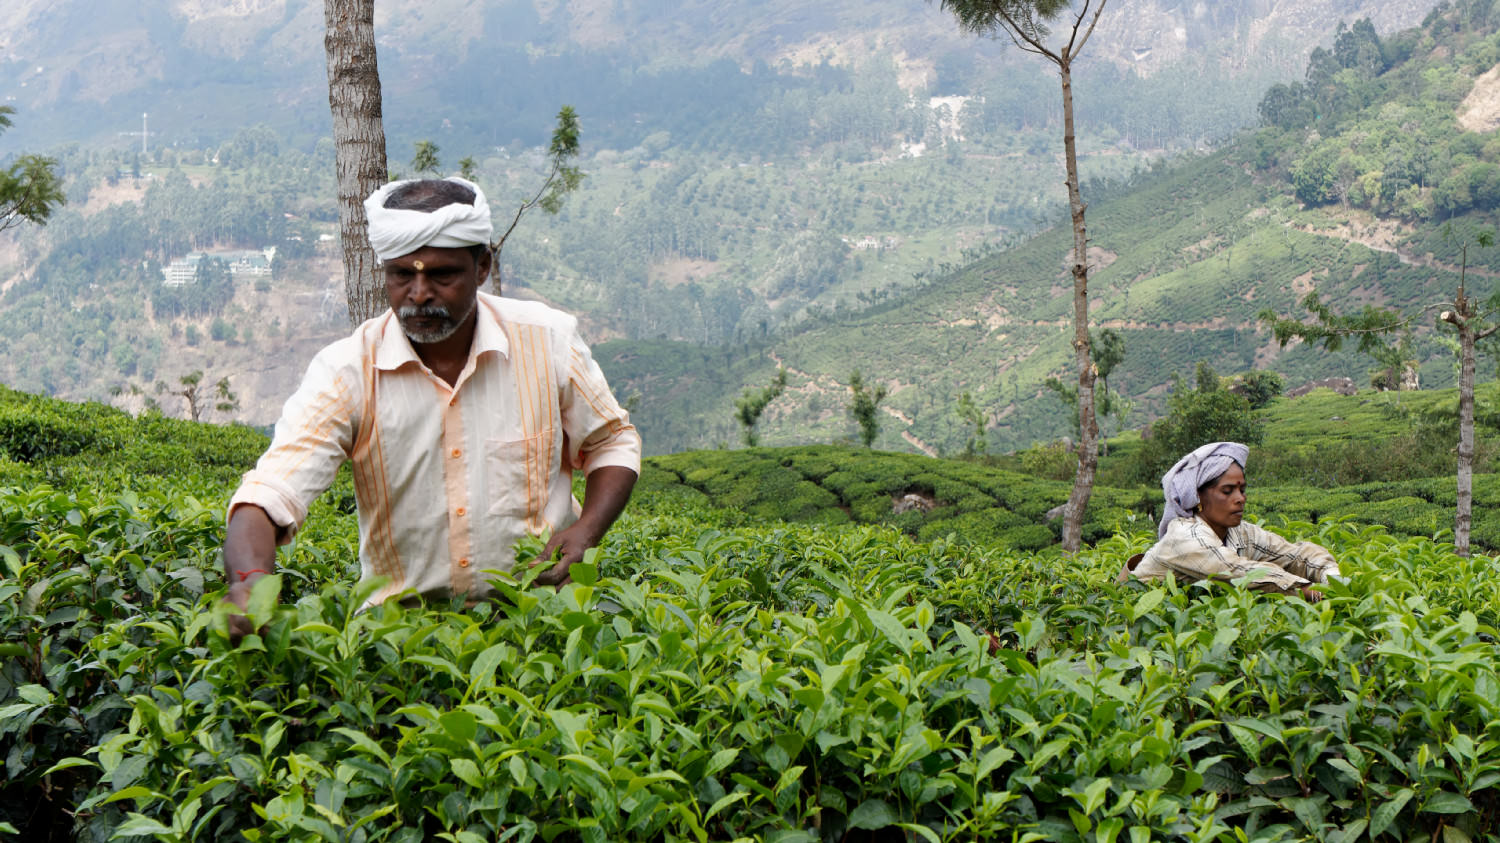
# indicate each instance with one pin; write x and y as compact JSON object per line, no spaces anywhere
{"x":1202,"y":536}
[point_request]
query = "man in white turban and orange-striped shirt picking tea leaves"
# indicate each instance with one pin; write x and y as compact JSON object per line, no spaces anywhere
{"x":464,"y":416}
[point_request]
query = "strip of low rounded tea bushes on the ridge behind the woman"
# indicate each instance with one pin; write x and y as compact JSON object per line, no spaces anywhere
{"x":995,"y":506}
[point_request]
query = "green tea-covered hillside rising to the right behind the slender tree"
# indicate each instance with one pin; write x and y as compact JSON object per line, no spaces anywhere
{"x":1186,"y":259}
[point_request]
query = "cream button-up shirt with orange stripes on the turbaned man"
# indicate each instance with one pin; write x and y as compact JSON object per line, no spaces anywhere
{"x":446,"y":478}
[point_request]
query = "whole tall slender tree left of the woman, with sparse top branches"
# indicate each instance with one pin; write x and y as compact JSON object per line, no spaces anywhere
{"x":1027,"y":23}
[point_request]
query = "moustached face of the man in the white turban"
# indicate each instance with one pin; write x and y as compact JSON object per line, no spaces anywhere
{"x":434,"y":292}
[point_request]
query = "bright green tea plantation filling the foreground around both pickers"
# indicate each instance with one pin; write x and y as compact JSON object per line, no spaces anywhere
{"x":719,"y":673}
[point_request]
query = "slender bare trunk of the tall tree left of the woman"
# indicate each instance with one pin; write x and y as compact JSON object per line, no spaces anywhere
{"x":1088,"y":425}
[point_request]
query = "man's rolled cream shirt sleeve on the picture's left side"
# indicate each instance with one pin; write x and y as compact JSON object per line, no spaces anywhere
{"x":313,"y":439}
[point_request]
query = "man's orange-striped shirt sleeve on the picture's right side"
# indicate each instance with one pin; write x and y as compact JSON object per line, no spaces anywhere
{"x":599,"y":431}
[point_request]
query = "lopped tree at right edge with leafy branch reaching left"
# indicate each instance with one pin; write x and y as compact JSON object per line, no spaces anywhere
{"x":1475,"y":320}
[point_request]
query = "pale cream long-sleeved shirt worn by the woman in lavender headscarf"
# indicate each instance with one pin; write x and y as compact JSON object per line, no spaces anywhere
{"x":1192,"y":551}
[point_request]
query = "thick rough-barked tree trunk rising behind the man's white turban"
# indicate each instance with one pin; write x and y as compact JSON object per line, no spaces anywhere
{"x":359,"y":143}
